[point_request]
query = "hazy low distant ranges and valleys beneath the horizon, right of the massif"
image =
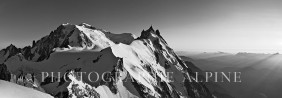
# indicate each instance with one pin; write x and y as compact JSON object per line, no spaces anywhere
{"x":261,"y":73}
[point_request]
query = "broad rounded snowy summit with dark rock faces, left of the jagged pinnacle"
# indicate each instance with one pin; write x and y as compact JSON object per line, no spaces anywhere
{"x":69,"y":37}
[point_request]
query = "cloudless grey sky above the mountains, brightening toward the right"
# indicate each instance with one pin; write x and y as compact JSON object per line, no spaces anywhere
{"x":199,"y":25}
